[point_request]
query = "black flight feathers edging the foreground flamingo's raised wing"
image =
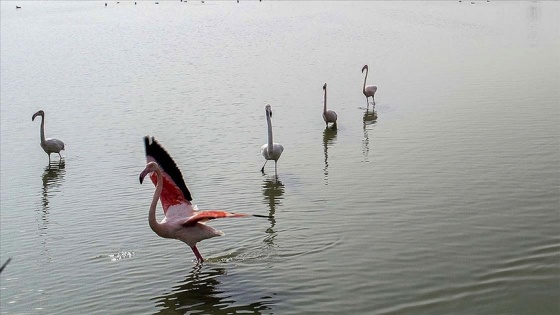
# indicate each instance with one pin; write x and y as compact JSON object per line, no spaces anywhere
{"x":164,"y":160}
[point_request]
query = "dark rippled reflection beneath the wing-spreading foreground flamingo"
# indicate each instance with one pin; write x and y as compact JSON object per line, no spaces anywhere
{"x":203,"y":291}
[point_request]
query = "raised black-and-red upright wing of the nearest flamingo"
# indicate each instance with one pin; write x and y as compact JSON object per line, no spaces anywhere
{"x":175,"y":191}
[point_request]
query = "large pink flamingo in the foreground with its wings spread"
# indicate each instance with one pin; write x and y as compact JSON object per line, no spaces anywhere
{"x":181,"y":221}
